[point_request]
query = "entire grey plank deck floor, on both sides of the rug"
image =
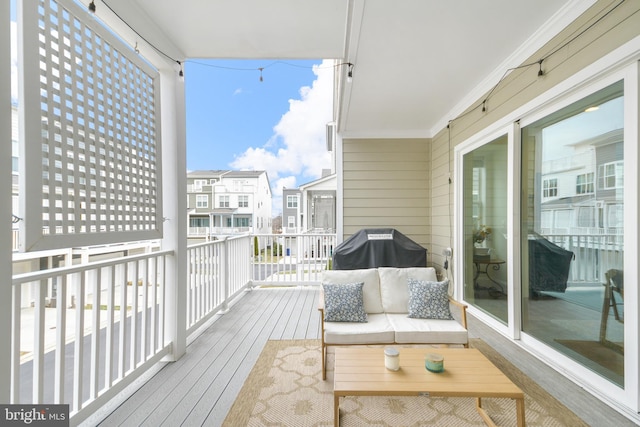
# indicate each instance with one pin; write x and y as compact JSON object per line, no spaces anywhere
{"x":200,"y":388}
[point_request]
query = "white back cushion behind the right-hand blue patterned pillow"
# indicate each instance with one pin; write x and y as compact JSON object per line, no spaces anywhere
{"x":394,"y":289}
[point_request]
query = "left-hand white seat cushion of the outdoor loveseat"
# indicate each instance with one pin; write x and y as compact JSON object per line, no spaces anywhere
{"x":377,"y":330}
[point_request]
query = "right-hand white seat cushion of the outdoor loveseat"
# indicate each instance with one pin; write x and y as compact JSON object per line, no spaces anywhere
{"x":427,"y":331}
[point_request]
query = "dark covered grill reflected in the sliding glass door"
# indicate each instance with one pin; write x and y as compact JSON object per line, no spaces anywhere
{"x":548,"y":265}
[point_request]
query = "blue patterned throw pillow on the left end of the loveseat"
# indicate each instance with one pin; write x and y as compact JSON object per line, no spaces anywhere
{"x":344,"y":303}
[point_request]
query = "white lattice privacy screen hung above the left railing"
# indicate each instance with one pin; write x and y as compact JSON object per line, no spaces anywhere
{"x":91,"y":172}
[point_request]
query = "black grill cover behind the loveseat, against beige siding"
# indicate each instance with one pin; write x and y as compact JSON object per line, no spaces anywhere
{"x":378,"y":247}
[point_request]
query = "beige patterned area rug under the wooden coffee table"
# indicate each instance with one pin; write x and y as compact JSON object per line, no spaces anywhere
{"x":285,"y":389}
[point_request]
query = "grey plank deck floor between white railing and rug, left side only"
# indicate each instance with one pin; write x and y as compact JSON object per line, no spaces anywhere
{"x":201,"y":387}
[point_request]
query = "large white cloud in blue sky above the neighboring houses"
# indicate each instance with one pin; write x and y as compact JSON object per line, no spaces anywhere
{"x":301,"y":134}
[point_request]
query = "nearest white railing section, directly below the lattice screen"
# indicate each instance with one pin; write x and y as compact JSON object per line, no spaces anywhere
{"x":90,"y":331}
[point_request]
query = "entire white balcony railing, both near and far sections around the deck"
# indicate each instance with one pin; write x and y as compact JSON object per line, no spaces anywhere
{"x":83,"y":333}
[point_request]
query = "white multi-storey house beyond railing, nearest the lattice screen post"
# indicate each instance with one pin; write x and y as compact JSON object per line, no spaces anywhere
{"x":224,"y":202}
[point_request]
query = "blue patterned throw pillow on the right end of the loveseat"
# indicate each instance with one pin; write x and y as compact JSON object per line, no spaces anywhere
{"x":429,"y":300}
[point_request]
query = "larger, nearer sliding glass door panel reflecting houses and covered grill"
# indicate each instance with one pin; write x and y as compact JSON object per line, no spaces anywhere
{"x":572,"y":231}
